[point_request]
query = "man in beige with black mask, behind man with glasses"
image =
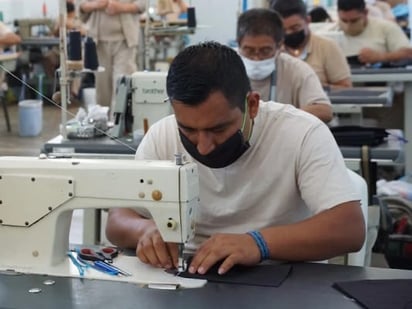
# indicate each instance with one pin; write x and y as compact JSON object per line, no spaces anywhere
{"x":322,"y":54}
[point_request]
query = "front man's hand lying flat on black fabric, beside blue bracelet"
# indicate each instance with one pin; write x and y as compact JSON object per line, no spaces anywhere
{"x":231,"y":248}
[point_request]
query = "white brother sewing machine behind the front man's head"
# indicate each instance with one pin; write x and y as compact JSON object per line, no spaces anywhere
{"x":141,"y":100}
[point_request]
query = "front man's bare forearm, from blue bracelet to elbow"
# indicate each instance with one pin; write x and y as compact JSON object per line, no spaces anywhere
{"x":331,"y":233}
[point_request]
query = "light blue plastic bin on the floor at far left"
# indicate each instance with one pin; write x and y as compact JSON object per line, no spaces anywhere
{"x":30,"y":117}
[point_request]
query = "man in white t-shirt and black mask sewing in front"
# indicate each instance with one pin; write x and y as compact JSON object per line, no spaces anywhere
{"x":263,"y":167}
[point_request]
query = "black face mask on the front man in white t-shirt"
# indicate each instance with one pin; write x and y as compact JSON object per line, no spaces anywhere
{"x":223,"y":155}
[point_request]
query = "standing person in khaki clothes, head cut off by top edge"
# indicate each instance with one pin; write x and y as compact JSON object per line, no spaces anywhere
{"x":114,"y":26}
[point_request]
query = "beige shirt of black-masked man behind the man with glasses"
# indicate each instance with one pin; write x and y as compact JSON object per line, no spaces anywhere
{"x":326,"y":59}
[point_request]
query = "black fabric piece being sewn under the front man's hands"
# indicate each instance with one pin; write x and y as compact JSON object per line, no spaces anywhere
{"x":260,"y":275}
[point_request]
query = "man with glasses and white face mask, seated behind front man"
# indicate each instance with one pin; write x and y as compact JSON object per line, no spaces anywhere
{"x":278,"y":76}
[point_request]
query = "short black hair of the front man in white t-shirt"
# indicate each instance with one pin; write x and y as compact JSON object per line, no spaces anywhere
{"x":208,"y":67}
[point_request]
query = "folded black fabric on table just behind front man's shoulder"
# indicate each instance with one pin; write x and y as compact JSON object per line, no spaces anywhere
{"x":358,"y":136}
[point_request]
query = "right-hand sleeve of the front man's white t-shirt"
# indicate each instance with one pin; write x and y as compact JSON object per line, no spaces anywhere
{"x":322,"y":175}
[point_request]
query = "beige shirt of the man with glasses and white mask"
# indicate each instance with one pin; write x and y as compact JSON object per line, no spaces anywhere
{"x":296,"y":84}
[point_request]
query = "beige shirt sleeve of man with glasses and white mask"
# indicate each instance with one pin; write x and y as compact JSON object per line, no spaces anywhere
{"x":310,"y":89}
